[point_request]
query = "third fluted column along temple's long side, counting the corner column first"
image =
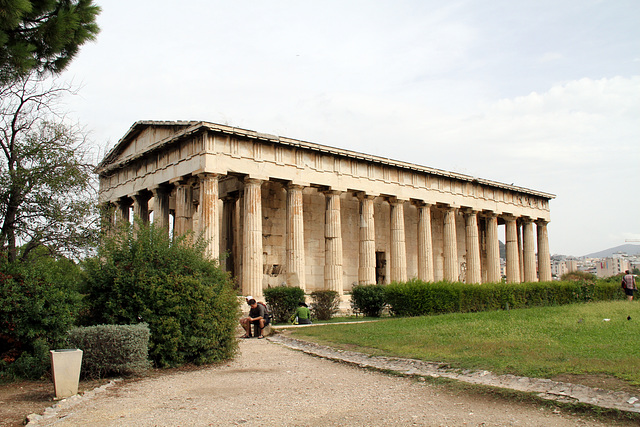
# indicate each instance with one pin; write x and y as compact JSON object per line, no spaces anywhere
{"x":295,"y":237}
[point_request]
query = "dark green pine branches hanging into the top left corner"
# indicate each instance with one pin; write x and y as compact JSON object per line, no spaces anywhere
{"x":43,"y":35}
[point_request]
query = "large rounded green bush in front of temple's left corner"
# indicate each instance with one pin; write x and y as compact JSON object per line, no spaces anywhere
{"x":185,"y":298}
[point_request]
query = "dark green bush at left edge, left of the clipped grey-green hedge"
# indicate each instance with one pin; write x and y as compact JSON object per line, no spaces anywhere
{"x":38,"y":304}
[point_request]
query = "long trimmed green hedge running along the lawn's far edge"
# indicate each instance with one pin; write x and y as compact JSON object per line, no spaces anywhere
{"x":417,"y":298}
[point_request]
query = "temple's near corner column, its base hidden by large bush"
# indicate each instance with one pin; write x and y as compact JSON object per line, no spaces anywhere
{"x":209,"y":223}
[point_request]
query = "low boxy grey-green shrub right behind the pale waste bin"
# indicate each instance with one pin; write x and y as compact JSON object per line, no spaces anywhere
{"x":112,"y":349}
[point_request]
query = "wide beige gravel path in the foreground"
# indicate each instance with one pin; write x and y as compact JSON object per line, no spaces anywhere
{"x":269,"y":384}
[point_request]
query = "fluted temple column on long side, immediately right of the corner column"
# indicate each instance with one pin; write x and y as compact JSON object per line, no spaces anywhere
{"x":252,"y":258}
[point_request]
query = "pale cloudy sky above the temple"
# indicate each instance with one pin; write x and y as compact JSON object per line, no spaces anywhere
{"x":540,"y":94}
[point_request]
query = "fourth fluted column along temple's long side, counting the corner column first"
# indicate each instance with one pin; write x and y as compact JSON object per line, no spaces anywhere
{"x":333,"y":244}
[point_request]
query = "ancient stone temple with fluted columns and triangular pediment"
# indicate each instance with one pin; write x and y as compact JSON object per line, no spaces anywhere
{"x":279,"y":211}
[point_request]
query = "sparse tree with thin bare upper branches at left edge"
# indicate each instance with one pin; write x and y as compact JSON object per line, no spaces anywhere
{"x":46,"y":182}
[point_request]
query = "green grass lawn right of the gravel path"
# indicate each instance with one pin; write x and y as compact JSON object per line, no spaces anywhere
{"x":536,"y":342}
